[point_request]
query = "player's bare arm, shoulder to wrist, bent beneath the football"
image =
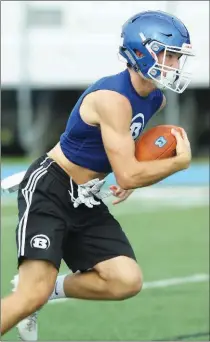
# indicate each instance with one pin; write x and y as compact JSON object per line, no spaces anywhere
{"x":114,"y":117}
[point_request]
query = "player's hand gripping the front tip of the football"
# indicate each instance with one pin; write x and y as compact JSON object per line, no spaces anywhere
{"x":183,"y":149}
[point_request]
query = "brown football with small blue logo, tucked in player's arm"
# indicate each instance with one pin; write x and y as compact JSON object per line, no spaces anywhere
{"x":156,"y":143}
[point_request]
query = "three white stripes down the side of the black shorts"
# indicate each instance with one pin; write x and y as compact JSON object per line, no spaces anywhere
{"x":28,"y":194}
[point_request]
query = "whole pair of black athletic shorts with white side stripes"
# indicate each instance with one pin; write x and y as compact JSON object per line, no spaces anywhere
{"x":51,"y":229}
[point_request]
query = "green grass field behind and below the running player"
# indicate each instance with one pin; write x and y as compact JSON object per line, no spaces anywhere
{"x":170,"y":235}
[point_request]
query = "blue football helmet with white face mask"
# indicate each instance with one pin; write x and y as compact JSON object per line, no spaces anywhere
{"x":150,"y":33}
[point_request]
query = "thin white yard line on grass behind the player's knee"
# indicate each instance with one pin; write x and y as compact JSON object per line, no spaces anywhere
{"x":163,"y":283}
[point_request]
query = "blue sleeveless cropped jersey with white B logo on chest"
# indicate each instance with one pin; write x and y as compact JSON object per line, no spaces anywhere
{"x":82,"y":144}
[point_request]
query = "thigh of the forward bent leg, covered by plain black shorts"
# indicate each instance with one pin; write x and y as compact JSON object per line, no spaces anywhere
{"x":102,"y":239}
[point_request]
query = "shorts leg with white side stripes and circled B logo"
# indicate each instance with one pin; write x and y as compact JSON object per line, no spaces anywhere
{"x":41,"y":229}
